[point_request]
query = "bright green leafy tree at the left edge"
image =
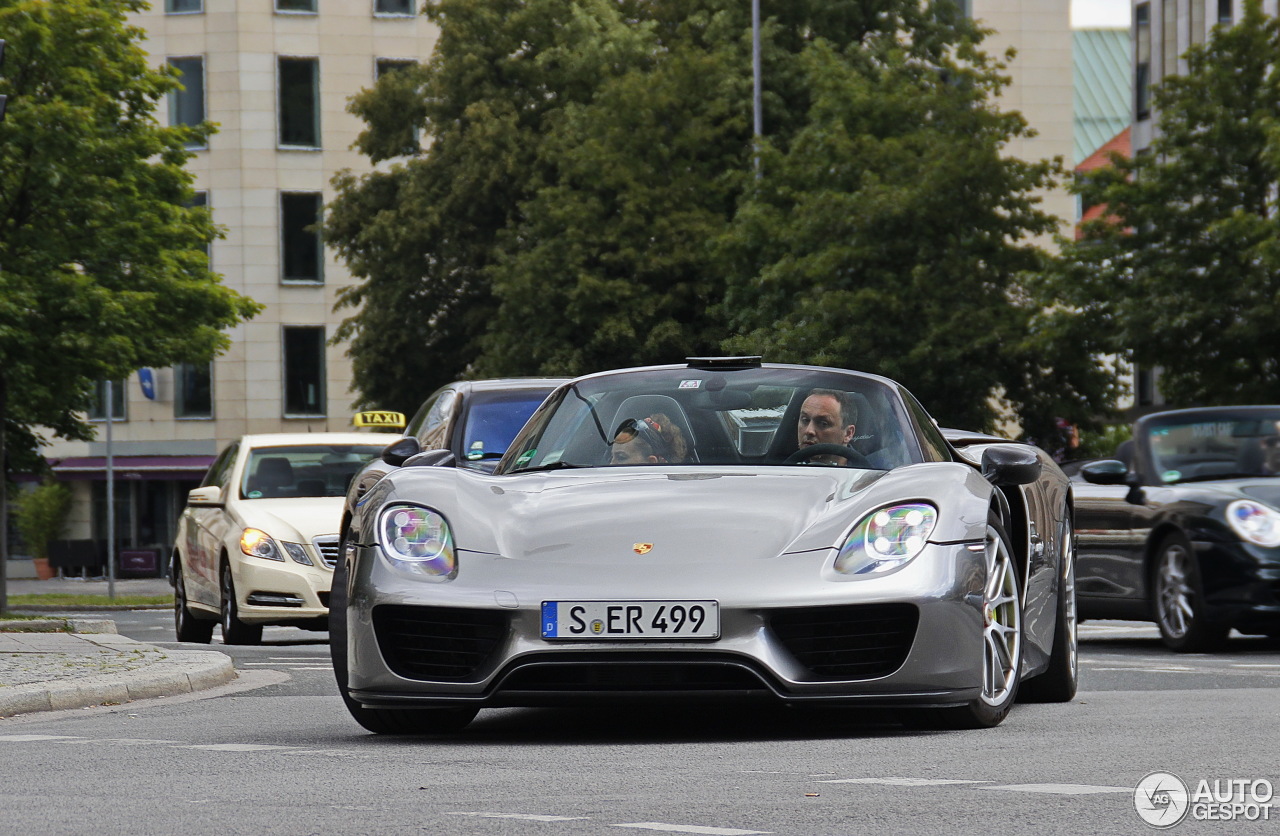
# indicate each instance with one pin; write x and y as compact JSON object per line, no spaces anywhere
{"x":103,"y":264}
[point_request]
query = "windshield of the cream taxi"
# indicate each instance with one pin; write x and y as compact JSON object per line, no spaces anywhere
{"x":305,"y":470}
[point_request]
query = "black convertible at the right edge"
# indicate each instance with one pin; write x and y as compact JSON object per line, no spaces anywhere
{"x":1183,"y":527}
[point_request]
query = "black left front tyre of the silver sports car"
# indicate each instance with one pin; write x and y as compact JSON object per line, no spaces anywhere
{"x":381,"y":721}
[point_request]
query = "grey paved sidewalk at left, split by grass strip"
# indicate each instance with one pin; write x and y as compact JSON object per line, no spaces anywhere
{"x":71,"y":661}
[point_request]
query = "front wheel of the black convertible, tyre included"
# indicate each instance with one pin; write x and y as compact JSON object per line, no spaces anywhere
{"x":1178,"y":599}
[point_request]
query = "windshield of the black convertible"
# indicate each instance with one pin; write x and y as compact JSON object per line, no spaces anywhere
{"x":1217,"y":447}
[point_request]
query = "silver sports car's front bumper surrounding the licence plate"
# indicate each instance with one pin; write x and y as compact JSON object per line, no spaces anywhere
{"x":477,"y":639}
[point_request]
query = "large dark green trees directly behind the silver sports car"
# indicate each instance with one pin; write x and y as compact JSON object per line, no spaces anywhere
{"x":589,"y":199}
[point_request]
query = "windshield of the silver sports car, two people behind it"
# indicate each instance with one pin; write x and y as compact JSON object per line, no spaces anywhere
{"x":697,"y":417}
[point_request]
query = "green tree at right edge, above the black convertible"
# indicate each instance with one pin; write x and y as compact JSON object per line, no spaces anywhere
{"x":1186,"y":272}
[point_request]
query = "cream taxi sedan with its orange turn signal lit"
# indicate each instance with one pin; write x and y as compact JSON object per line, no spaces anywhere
{"x":259,"y":538}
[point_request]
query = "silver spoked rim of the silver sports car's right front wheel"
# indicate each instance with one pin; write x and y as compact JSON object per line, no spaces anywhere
{"x":1003,"y":624}
